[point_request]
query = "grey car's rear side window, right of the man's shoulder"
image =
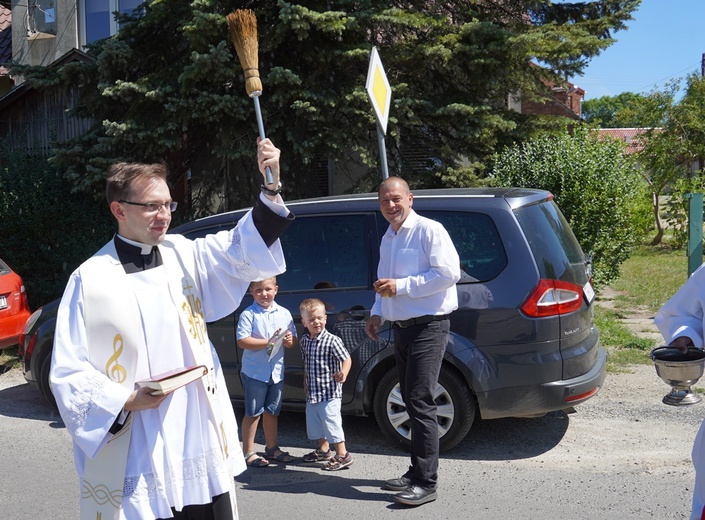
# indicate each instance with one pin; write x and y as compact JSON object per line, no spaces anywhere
{"x":477,"y":240}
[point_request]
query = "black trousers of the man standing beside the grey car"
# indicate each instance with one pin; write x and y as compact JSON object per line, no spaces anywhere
{"x":419,"y":353}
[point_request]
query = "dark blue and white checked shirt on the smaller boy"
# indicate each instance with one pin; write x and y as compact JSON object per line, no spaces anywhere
{"x":323,"y":357}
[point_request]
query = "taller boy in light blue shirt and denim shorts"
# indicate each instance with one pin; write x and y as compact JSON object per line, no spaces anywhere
{"x":263,"y":328}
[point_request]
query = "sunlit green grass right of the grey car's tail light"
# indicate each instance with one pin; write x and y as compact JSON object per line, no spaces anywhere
{"x":647,"y":279}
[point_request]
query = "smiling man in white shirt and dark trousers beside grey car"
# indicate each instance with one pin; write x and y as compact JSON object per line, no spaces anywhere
{"x":417,"y":273}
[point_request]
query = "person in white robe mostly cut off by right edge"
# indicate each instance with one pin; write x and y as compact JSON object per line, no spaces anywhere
{"x":681,"y":321}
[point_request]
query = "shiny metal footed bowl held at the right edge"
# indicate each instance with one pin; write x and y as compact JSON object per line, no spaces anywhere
{"x":679,"y":370}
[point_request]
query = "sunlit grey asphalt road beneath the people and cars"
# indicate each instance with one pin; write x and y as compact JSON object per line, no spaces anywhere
{"x":623,"y":455}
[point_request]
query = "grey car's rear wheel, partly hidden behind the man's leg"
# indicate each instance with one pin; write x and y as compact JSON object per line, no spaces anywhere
{"x":456,"y":409}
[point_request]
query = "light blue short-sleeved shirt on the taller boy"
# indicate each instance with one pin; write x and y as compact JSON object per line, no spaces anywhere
{"x":258,"y":322}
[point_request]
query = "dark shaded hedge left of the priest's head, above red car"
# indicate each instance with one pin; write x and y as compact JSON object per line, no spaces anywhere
{"x":47,"y":229}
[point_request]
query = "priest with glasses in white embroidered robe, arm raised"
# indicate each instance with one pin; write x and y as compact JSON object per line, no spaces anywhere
{"x":136,"y":309}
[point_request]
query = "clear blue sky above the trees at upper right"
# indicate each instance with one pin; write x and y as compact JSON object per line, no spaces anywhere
{"x":665,"y":41}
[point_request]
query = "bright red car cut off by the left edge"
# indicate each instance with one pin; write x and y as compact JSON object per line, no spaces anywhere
{"x":14,"y":309}
